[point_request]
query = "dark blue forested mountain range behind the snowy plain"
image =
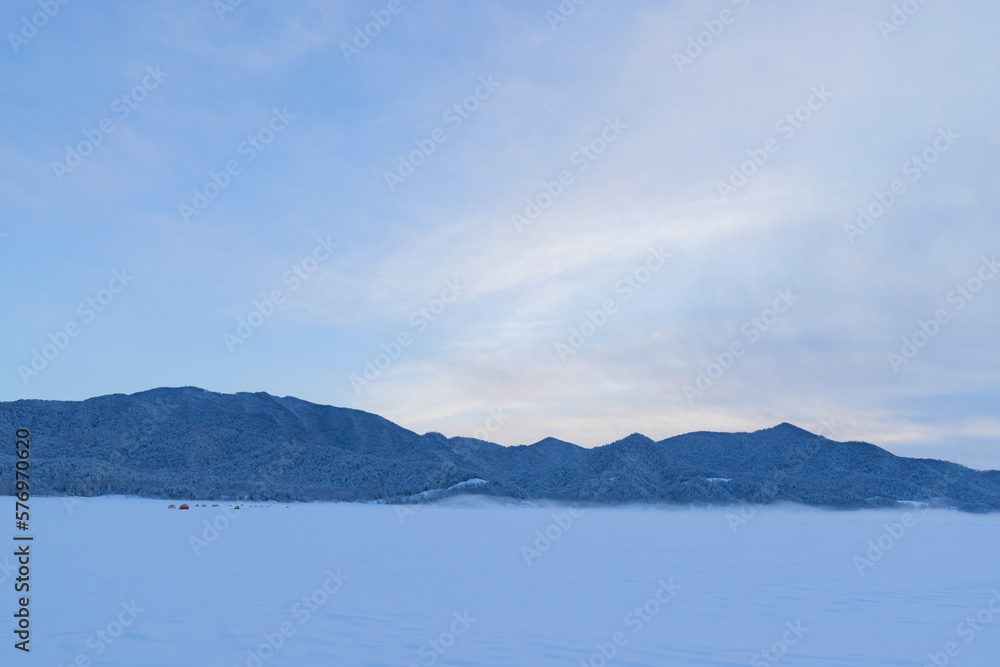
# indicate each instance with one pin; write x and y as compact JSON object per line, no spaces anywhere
{"x":190,"y":443}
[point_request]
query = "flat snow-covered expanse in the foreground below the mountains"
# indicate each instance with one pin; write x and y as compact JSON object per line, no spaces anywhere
{"x":122,"y":582}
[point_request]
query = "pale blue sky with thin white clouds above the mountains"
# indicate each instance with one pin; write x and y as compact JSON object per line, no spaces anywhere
{"x":514,"y":219}
